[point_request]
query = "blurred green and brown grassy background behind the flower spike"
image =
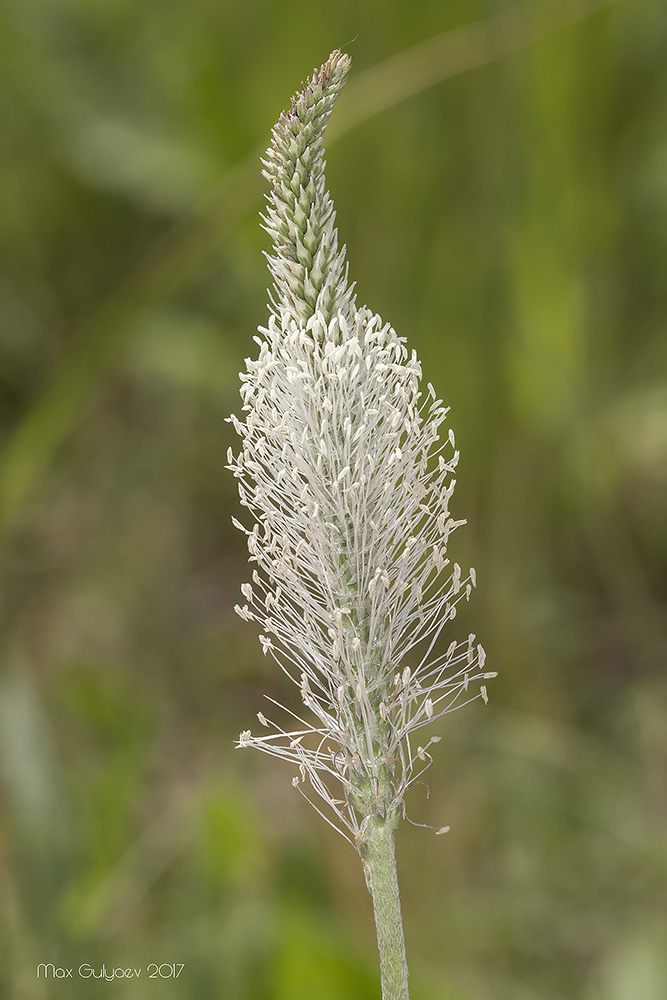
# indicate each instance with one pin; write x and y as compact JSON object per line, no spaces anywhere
{"x":500,"y":175}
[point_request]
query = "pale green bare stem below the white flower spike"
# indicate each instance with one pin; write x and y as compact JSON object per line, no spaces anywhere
{"x":380,"y":869}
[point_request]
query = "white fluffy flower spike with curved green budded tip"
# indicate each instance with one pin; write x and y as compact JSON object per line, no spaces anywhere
{"x":349,"y":481}
